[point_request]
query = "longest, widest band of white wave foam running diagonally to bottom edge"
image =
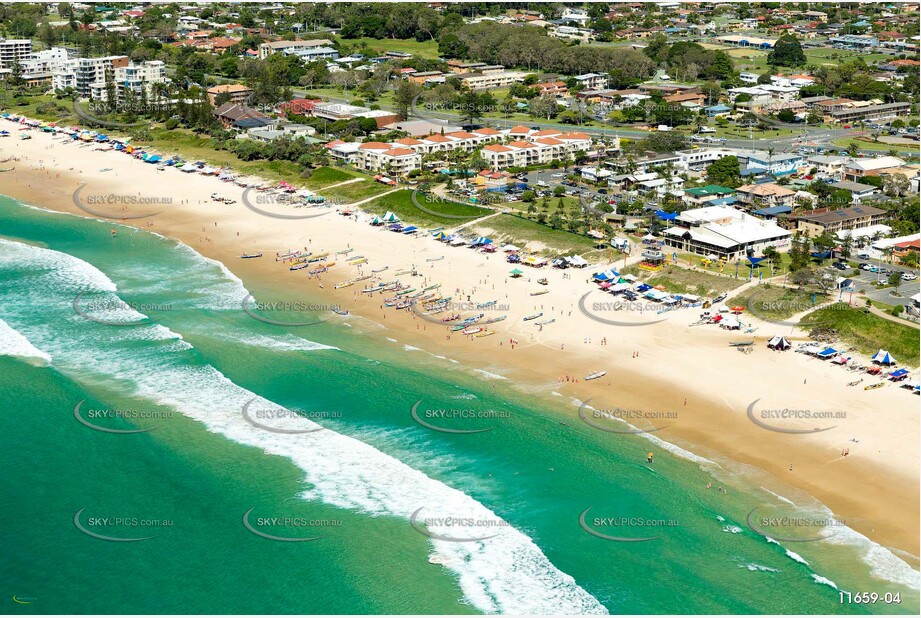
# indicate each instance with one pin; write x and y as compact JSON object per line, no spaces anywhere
{"x":504,"y":574}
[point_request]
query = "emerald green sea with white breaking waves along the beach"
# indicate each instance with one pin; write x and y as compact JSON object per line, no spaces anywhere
{"x":199,"y":359}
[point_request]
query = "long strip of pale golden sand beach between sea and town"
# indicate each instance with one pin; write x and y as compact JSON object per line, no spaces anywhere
{"x":673,"y":364}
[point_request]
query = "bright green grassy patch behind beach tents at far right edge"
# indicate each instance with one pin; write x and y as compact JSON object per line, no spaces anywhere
{"x":868,"y":333}
